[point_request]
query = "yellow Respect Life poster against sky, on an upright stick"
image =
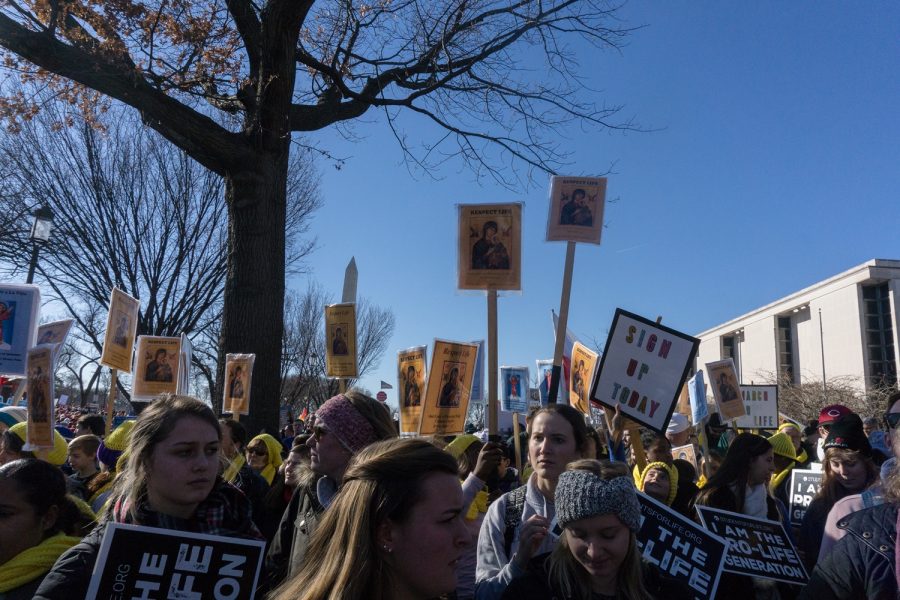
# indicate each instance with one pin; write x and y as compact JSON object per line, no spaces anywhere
{"x":490,"y":246}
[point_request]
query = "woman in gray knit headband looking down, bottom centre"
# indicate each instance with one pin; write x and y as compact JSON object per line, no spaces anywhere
{"x":597,"y":555}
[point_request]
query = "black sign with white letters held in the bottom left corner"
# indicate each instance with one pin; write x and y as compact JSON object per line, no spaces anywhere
{"x":148,"y":562}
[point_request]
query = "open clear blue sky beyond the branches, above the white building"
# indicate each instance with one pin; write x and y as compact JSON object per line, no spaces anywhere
{"x":773,"y":164}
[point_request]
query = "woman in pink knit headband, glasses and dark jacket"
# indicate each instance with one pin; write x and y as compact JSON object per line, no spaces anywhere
{"x":344,"y":425}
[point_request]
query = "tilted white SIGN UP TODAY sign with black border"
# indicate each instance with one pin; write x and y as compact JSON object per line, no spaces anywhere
{"x":642,"y":369}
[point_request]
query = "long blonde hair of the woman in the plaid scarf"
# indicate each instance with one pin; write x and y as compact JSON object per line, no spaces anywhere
{"x":152,"y":426}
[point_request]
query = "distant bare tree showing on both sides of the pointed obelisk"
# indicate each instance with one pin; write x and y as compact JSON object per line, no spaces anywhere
{"x":303,"y":375}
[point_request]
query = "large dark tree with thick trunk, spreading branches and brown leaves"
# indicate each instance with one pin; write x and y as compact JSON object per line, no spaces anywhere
{"x":228,"y":83}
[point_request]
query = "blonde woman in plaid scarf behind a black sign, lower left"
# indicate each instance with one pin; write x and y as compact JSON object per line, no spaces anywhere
{"x":169,"y":478}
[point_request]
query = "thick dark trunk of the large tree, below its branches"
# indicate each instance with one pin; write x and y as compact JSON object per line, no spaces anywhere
{"x":253,"y":313}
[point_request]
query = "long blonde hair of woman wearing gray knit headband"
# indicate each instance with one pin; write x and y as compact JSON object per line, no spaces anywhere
{"x":569,"y":578}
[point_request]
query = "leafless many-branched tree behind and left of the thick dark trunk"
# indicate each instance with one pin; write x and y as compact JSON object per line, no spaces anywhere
{"x":132,"y":212}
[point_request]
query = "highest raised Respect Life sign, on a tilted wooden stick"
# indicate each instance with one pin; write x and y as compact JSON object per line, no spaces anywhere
{"x":576,"y":209}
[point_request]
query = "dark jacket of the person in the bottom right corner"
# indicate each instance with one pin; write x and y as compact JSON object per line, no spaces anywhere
{"x":861,"y":565}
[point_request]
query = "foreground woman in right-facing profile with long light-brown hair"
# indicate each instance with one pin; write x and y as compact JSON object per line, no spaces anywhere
{"x":395,"y":530}
